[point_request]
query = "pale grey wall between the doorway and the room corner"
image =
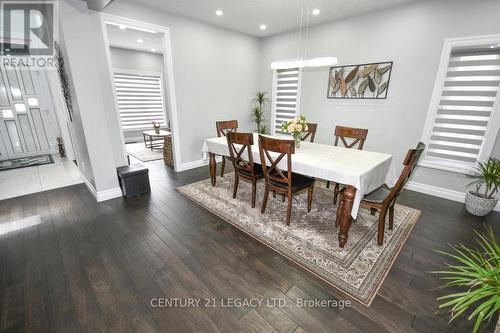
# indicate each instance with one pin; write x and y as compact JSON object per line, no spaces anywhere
{"x":216,"y":73}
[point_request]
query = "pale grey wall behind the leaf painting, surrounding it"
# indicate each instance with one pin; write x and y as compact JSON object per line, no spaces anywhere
{"x":410,"y":35}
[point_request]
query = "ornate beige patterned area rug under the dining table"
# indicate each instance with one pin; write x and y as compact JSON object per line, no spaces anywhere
{"x":357,"y":270}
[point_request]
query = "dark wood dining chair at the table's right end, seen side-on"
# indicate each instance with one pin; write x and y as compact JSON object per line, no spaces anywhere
{"x":384,"y":198}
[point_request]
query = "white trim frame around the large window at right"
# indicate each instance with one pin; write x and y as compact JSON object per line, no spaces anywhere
{"x":493,"y":124}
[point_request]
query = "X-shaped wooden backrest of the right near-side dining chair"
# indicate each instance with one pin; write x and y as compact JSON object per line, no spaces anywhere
{"x":270,"y":164}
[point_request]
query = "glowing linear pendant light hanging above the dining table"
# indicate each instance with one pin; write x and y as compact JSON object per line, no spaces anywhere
{"x":303,"y":62}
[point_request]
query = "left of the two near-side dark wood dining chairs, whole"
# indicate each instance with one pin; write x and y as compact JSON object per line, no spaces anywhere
{"x":245,"y":169}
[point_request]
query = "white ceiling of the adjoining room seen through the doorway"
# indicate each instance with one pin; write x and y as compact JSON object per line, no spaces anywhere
{"x":127,"y":39}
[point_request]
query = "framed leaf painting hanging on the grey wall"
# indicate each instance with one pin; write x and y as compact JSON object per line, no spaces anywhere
{"x":367,"y":81}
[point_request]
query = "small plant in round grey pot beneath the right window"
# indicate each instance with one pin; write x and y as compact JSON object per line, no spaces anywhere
{"x":487,"y":182}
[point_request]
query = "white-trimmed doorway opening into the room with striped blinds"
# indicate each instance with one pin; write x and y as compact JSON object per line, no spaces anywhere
{"x":140,"y":64}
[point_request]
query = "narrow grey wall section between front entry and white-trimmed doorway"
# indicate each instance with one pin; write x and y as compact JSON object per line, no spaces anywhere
{"x":93,"y":133}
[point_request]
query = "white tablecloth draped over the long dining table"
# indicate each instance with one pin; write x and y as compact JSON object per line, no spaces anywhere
{"x":365,"y":170}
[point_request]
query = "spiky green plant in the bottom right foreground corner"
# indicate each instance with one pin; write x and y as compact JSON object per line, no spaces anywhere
{"x":477,"y":273}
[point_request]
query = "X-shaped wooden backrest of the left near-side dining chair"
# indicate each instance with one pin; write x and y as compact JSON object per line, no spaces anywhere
{"x":238,"y":143}
